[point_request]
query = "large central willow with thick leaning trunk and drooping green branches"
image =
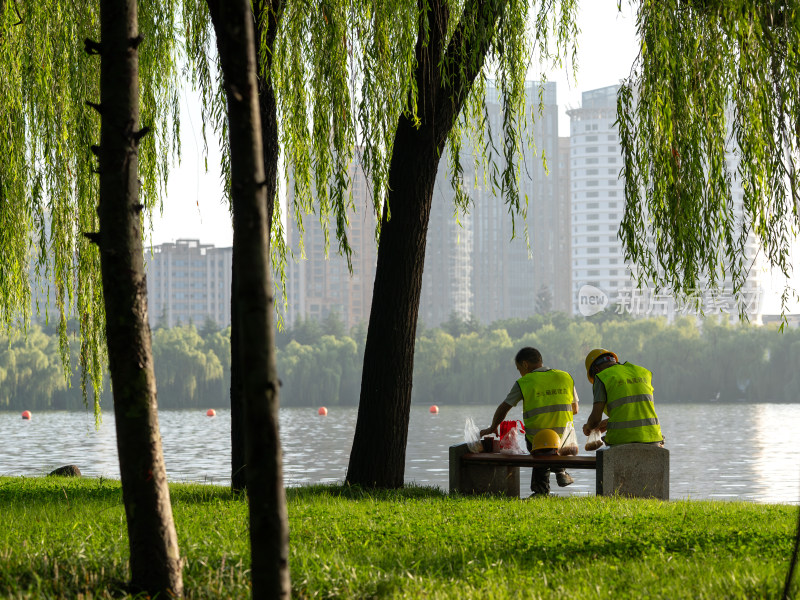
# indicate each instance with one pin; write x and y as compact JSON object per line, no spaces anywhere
{"x":390,"y":78}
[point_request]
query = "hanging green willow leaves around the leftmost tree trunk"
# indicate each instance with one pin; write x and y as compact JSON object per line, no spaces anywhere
{"x":48,"y":187}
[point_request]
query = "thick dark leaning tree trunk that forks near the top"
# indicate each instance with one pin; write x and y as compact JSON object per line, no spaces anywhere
{"x":379,"y":445}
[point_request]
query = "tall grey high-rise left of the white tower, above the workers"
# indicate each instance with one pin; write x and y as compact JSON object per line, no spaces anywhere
{"x":509,"y":277}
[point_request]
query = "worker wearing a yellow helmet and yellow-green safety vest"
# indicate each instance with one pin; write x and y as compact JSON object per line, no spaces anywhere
{"x":624,"y":392}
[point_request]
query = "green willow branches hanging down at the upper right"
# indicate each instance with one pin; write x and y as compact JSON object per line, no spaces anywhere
{"x":713,"y":80}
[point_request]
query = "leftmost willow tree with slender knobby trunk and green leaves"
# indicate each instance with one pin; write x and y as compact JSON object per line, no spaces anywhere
{"x":49,"y":190}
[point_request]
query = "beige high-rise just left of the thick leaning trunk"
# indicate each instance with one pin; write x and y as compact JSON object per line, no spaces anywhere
{"x":318,"y":284}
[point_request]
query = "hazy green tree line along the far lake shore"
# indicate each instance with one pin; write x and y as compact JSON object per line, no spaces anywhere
{"x":461,"y":362}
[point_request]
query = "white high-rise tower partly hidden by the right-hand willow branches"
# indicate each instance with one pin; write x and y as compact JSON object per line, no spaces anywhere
{"x":597,"y":196}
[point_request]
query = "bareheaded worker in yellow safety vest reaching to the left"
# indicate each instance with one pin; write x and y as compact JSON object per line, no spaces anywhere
{"x":549,"y":400}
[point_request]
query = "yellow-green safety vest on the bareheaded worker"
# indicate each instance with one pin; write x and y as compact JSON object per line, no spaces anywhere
{"x":546,"y":401}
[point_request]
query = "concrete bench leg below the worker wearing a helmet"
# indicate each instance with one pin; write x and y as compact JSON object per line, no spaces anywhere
{"x":634,"y":470}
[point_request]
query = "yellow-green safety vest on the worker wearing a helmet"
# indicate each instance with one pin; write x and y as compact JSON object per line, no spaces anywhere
{"x":629,"y":405}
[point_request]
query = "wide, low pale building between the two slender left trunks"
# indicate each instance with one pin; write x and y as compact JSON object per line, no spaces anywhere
{"x":188,"y":282}
